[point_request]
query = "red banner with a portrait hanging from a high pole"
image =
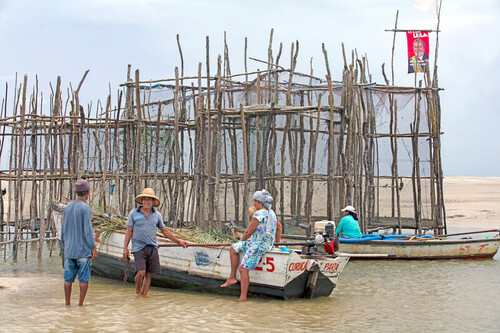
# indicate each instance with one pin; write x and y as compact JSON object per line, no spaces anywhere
{"x":418,"y":50}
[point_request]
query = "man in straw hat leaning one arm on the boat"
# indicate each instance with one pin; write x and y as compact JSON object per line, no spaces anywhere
{"x":141,"y":228}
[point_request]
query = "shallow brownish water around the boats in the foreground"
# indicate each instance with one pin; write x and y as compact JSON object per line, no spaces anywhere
{"x":417,"y":296}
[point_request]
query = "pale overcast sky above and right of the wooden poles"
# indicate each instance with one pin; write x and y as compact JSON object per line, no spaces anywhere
{"x":64,"y":37}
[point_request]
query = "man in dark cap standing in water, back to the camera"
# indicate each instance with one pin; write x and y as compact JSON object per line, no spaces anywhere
{"x":77,"y":238}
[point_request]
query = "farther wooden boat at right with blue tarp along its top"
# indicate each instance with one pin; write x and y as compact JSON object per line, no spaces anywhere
{"x":423,"y":248}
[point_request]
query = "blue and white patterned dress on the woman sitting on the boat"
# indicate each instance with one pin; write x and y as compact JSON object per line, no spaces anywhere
{"x":261,"y":241}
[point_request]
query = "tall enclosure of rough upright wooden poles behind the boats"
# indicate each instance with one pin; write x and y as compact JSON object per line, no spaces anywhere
{"x":206,"y":142}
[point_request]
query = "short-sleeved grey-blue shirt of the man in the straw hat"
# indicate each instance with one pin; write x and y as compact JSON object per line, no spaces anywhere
{"x":144,"y":228}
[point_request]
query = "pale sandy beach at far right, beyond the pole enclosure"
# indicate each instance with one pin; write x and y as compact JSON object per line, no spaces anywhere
{"x":472,"y":202}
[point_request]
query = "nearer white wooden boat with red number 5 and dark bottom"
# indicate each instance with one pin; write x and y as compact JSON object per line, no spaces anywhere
{"x":285,"y":275}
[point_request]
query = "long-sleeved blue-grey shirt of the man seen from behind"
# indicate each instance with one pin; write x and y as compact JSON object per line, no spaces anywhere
{"x":77,"y":235}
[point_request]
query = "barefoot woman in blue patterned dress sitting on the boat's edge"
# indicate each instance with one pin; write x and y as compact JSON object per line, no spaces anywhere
{"x":263,"y":230}
